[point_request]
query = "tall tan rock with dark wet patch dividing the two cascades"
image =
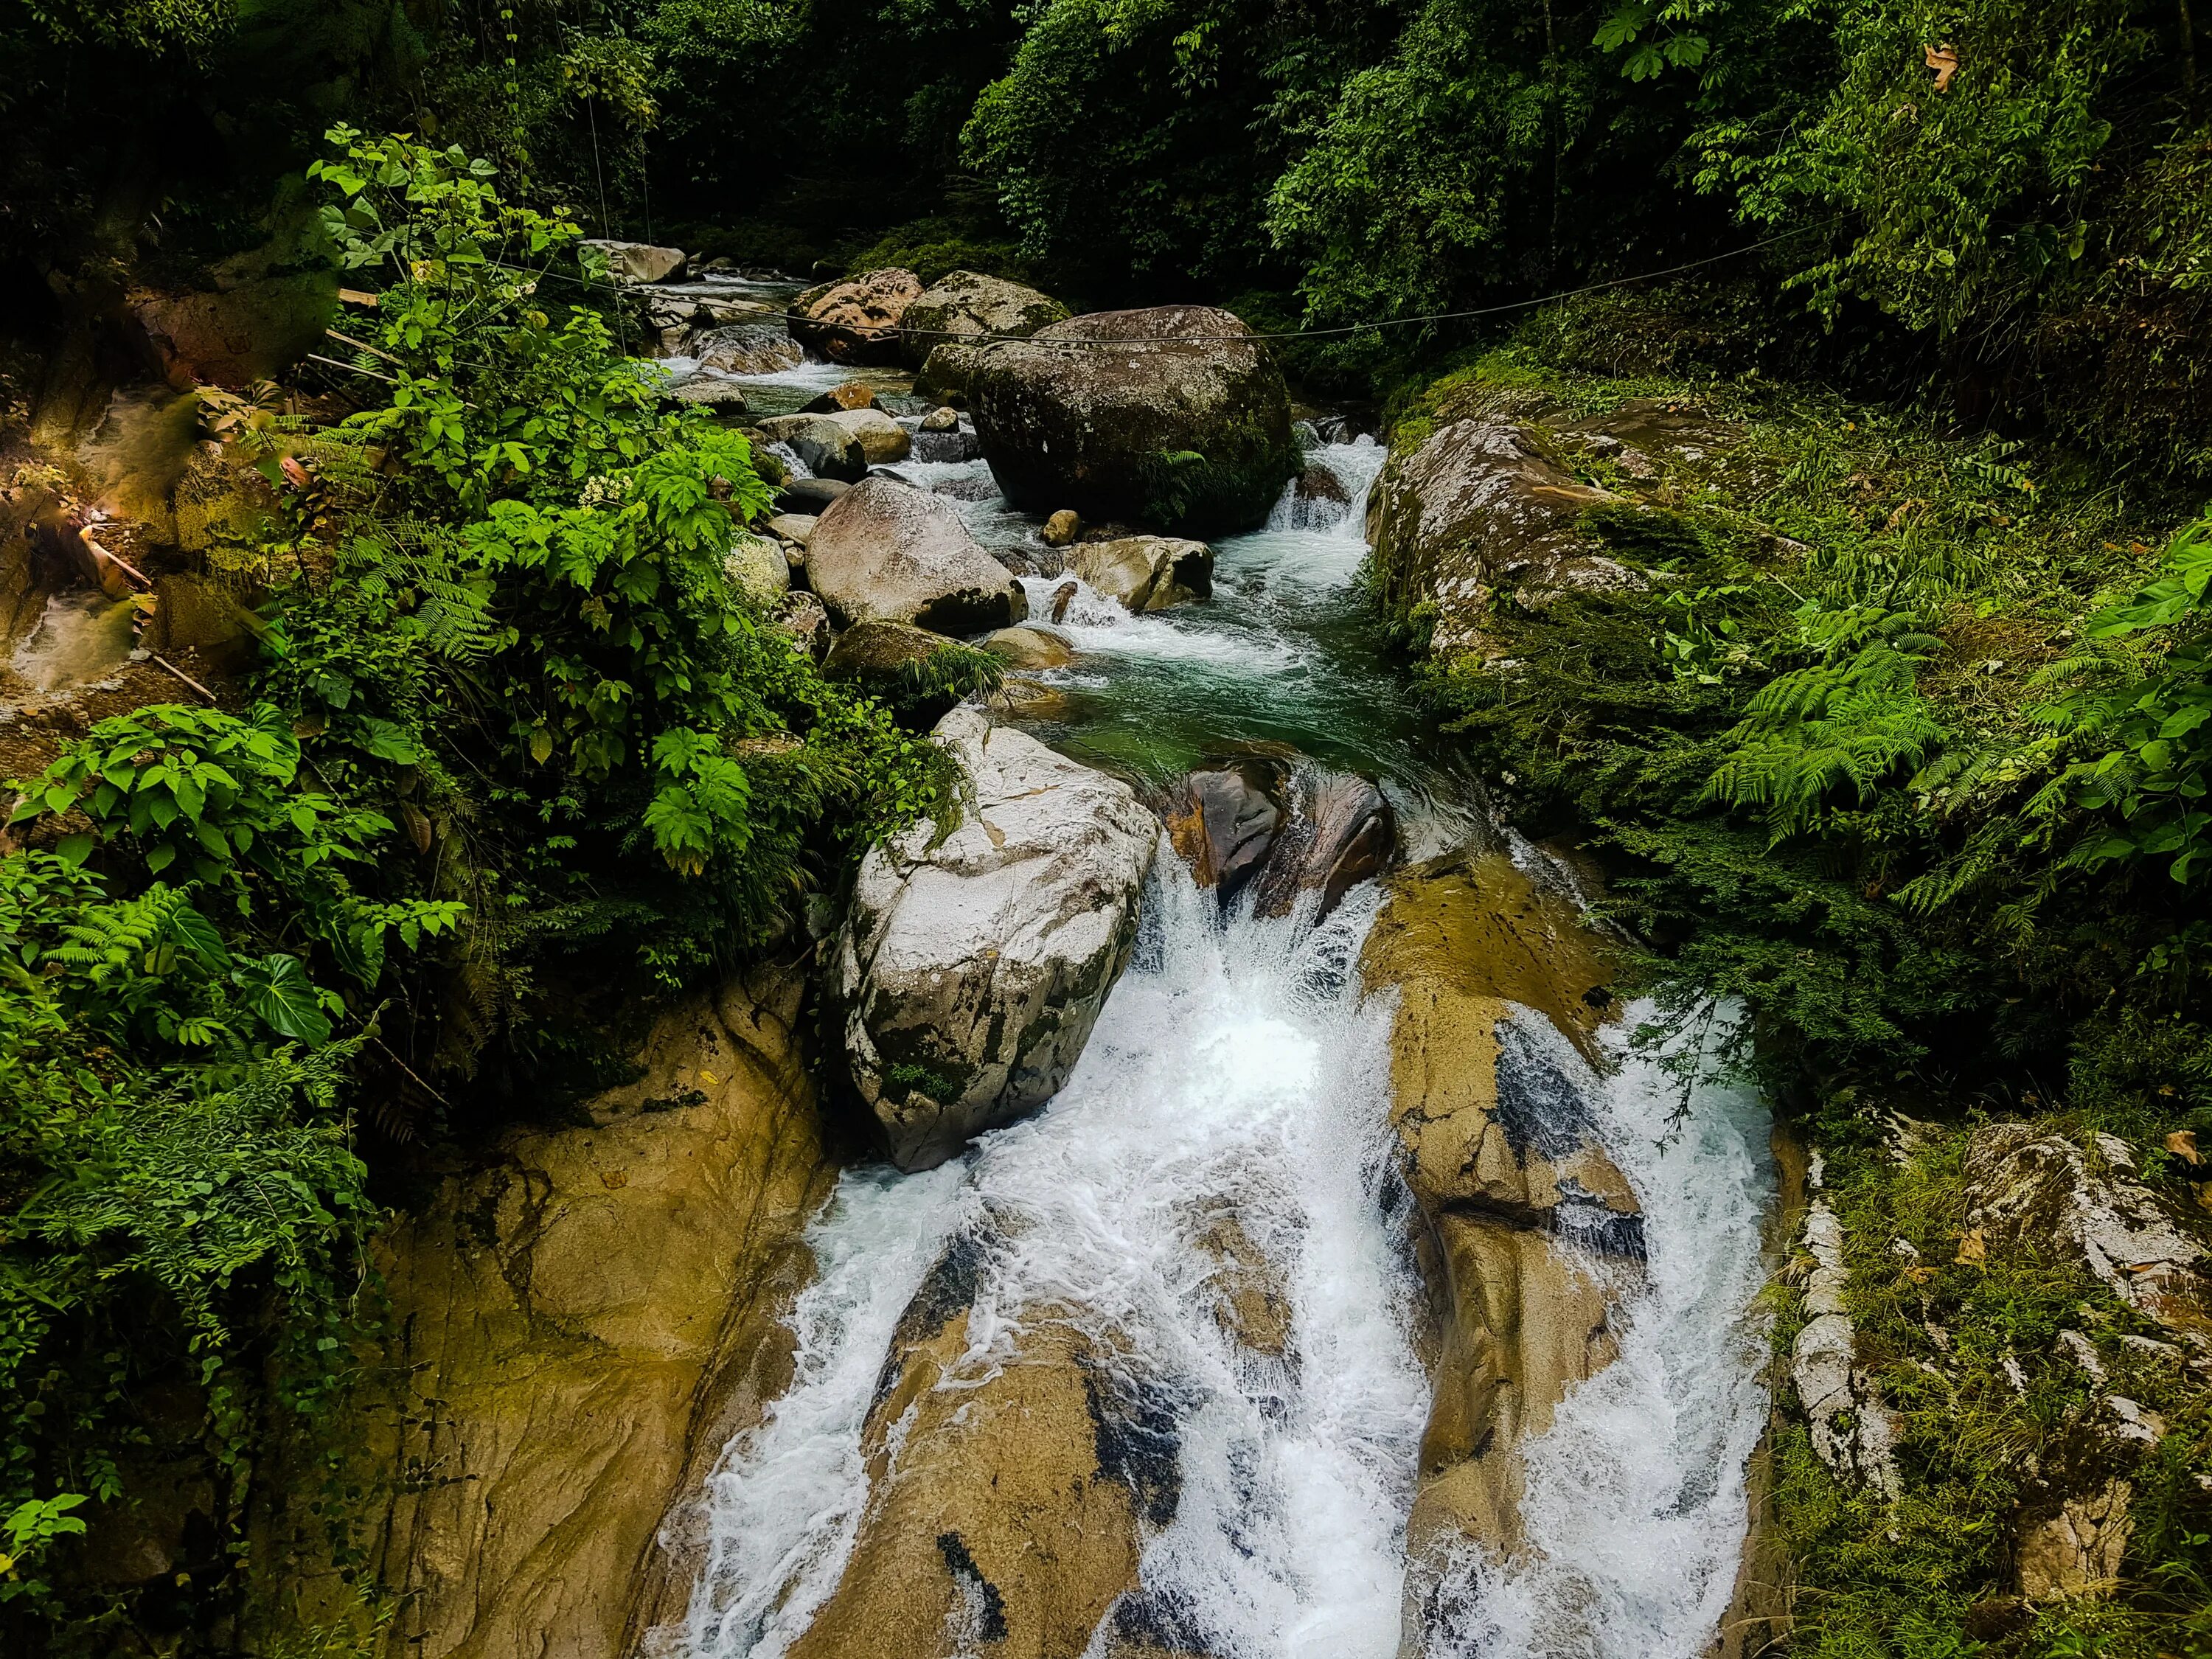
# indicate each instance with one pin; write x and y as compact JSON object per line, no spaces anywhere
{"x":1521,"y":1207}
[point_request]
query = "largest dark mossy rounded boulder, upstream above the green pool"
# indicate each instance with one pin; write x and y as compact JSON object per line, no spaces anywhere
{"x":1171,"y":419}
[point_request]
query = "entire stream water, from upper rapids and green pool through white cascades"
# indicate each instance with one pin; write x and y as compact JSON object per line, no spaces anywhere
{"x":1238,"y":1070}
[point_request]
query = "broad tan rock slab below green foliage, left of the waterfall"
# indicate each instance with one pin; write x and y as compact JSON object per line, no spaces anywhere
{"x":578,"y":1324}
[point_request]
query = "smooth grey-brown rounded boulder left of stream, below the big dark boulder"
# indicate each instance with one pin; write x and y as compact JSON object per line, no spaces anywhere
{"x":886,"y":552}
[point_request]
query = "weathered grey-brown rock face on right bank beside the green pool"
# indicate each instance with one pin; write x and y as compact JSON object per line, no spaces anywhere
{"x":1474,"y":512}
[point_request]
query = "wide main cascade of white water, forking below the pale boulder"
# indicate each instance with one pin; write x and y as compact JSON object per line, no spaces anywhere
{"x":1233,"y":1072}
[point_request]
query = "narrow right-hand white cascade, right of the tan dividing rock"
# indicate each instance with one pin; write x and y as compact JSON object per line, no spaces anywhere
{"x":1636,"y":1505}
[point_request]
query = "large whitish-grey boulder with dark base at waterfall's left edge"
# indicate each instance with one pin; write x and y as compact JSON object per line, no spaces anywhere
{"x":970,"y":970}
